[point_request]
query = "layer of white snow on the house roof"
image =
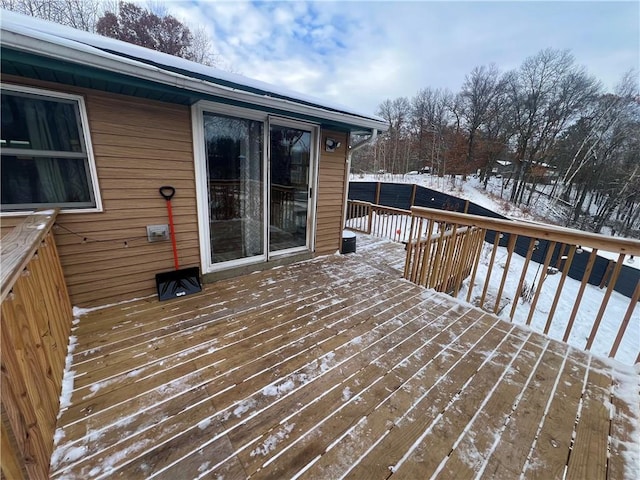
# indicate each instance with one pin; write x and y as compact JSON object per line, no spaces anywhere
{"x":129,"y":53}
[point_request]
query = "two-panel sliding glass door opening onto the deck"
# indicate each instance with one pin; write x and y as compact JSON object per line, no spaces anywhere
{"x":254,"y":177}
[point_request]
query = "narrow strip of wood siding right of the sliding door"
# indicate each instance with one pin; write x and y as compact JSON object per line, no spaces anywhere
{"x":331,"y":178}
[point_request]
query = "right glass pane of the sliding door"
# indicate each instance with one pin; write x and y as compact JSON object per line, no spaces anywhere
{"x":290,"y":155}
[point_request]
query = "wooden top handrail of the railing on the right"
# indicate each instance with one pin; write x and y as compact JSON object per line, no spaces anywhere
{"x":552,"y":233}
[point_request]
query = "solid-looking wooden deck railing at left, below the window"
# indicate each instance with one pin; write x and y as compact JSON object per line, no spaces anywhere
{"x":36,"y":324}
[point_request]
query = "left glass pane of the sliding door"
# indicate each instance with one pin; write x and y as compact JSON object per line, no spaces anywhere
{"x":235,"y":181}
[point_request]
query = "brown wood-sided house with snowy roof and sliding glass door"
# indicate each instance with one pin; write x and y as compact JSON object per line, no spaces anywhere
{"x":95,"y":126}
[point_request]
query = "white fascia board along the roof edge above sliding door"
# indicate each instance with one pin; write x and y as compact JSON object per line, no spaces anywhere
{"x":85,"y":55}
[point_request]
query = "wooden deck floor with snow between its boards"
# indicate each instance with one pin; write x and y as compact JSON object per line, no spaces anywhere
{"x":337,"y":368}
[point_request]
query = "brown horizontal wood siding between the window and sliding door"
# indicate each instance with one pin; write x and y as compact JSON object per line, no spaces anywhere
{"x":139,"y":145}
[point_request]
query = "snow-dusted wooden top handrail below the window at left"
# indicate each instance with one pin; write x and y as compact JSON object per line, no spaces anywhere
{"x":18,"y":247}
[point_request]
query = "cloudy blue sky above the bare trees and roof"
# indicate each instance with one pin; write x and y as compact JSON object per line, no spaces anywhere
{"x":359,"y":53}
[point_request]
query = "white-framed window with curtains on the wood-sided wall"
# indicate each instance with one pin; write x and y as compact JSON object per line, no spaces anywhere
{"x":46,"y":155}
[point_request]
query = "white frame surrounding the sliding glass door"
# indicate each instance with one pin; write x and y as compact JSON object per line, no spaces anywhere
{"x":202,"y":193}
